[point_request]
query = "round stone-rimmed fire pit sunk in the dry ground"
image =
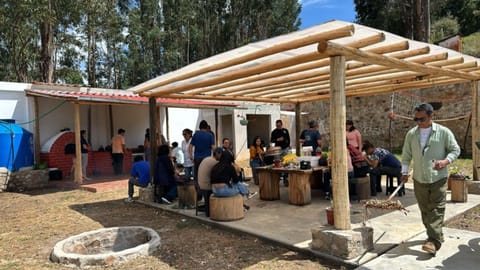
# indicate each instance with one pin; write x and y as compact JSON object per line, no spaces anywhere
{"x":106,"y":246}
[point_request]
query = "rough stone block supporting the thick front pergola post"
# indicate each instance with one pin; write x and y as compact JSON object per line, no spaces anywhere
{"x":346,"y":244}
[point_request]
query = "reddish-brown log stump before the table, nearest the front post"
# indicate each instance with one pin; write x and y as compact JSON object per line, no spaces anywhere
{"x":299,"y":192}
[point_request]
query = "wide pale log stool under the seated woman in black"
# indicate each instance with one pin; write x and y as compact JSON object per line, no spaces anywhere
{"x":226,"y":208}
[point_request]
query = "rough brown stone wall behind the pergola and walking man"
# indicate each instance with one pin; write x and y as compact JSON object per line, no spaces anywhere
{"x":370,"y":116}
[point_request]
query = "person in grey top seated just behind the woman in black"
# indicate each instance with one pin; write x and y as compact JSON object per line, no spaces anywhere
{"x":204,"y":176}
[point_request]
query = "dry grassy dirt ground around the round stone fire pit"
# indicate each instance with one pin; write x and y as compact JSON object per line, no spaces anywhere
{"x":32,"y":223}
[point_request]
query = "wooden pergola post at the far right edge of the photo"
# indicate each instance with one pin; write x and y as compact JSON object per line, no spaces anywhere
{"x":475,"y":128}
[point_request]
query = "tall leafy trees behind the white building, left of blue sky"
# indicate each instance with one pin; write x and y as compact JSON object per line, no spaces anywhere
{"x":121,"y":43}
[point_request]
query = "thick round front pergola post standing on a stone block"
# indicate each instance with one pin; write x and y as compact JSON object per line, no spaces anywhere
{"x":338,"y":143}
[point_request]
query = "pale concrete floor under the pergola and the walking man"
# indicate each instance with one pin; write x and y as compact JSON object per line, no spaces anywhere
{"x":291,"y":225}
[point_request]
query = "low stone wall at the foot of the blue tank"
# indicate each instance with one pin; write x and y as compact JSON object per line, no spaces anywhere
{"x":22,"y":180}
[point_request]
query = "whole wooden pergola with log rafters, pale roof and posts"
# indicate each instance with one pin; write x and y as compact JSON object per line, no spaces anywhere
{"x":331,"y":61}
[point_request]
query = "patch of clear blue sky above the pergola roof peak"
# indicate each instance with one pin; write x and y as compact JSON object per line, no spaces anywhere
{"x":319,"y":11}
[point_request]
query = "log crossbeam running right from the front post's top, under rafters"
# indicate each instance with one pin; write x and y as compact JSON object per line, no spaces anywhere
{"x":331,"y":48}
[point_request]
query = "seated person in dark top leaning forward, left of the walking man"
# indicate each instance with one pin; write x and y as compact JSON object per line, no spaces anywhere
{"x":382,"y":162}
